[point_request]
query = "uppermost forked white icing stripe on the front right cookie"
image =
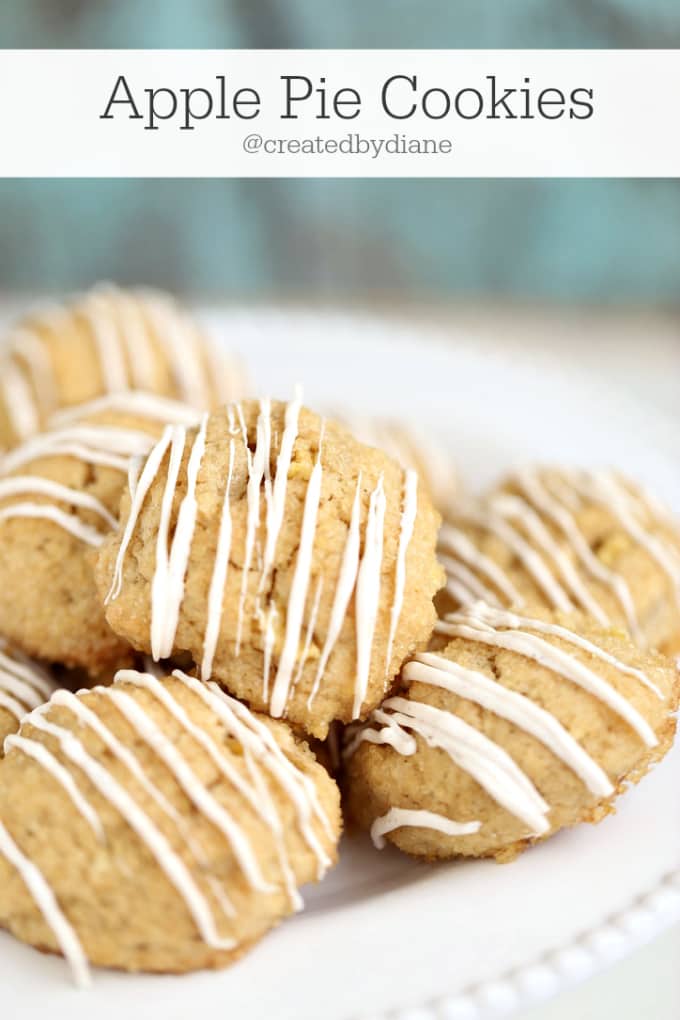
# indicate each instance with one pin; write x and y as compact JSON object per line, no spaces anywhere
{"x":504,"y":630}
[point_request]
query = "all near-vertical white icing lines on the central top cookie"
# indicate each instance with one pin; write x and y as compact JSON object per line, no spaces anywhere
{"x":358,"y":575}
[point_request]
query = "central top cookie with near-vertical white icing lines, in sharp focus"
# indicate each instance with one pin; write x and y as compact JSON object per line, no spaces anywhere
{"x":295,"y":566}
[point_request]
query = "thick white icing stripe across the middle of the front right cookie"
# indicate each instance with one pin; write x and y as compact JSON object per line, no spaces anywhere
{"x":474,"y":686}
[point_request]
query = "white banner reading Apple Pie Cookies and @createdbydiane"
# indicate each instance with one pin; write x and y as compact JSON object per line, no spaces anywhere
{"x":249,"y":114}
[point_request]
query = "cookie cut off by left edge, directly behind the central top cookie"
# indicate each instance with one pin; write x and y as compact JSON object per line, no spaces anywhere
{"x":60,"y":496}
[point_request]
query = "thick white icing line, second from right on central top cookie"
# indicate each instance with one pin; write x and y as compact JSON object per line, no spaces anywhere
{"x":368,"y":595}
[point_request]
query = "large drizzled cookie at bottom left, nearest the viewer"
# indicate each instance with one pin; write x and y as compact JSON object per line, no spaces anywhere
{"x":158,"y":826}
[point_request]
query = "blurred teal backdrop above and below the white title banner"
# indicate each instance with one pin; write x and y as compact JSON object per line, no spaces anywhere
{"x":600,"y":242}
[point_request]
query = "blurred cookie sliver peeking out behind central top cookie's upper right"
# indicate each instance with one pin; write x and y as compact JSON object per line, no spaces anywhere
{"x":412,"y":448}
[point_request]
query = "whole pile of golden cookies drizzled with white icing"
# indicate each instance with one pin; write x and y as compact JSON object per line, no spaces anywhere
{"x":216,"y":611}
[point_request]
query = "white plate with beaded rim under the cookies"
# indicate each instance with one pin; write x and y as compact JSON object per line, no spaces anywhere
{"x":385,"y":937}
